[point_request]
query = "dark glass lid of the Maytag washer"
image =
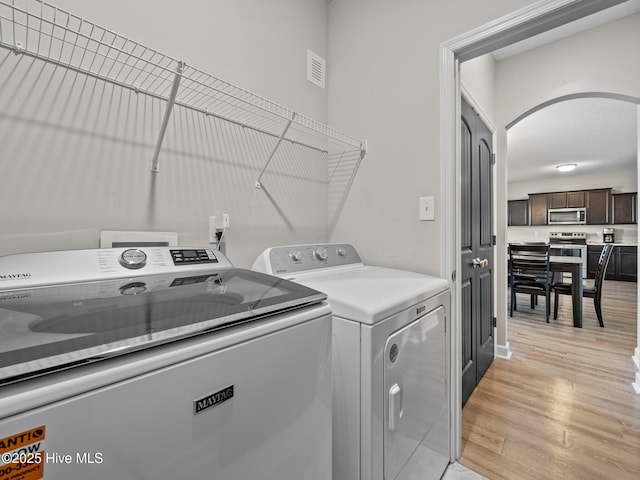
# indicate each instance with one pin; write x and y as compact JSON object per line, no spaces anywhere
{"x":44,"y":329}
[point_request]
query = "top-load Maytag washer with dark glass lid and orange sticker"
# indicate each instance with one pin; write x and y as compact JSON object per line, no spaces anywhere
{"x":160,"y":363}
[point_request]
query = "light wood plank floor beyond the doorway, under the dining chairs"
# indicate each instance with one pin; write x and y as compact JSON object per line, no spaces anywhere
{"x":563,"y":406}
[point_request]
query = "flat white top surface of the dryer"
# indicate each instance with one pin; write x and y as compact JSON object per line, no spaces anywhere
{"x":369,"y":294}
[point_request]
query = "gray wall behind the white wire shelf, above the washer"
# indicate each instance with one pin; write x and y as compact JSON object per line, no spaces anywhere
{"x":75,"y":153}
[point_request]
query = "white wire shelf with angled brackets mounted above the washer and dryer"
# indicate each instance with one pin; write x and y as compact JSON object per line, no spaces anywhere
{"x":43,"y":31}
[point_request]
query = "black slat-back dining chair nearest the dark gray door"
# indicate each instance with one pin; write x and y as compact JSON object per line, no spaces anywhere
{"x":529,"y":273}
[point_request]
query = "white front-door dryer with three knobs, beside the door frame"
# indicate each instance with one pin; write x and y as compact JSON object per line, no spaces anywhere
{"x":391,"y":348}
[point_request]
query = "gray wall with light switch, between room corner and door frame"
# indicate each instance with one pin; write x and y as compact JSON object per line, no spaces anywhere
{"x":384,"y":86}
